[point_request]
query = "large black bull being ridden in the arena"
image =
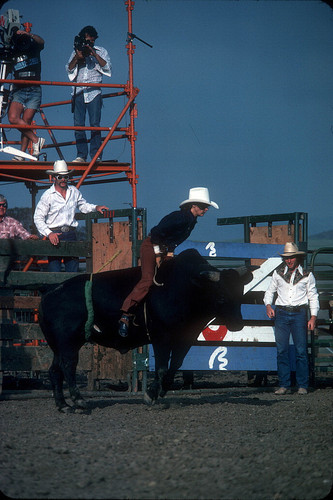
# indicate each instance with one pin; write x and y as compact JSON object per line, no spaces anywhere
{"x":190,"y":294}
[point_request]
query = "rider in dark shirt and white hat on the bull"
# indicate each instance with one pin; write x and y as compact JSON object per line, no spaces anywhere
{"x":170,"y":232}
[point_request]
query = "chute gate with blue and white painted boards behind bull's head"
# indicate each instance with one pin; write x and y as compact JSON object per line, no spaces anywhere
{"x":253,"y":348}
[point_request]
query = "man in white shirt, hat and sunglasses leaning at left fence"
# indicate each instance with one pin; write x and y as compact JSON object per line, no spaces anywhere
{"x":55,"y":214}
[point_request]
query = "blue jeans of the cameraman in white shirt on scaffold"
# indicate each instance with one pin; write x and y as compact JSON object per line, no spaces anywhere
{"x":94,"y":112}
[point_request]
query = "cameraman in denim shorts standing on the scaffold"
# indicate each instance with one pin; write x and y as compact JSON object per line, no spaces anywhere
{"x":25,"y":99}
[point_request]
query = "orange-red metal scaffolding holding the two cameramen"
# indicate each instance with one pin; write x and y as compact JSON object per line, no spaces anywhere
{"x":33,"y":173}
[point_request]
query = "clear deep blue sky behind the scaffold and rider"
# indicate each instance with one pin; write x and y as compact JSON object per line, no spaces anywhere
{"x":234,"y":95}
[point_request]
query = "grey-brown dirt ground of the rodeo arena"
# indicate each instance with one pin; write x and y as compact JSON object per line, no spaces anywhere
{"x":226,"y":441}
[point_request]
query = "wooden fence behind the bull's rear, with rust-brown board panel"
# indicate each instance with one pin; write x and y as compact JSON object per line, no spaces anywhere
{"x":22,"y":345}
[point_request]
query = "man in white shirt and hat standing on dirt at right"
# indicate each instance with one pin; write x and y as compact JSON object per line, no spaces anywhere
{"x":296,"y":291}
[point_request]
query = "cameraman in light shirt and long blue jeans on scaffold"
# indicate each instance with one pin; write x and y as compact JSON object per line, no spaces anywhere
{"x":87,"y":64}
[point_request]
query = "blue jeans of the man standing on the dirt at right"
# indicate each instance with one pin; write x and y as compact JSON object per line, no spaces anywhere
{"x":294,"y":323}
